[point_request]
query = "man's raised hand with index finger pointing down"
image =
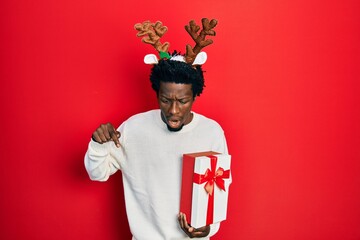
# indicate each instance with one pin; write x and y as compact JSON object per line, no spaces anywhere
{"x":105,"y":133}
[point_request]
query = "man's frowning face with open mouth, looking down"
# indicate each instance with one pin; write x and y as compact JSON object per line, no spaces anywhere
{"x":175,"y":102}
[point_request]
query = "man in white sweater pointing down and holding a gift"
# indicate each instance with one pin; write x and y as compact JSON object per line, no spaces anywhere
{"x":148,"y":149}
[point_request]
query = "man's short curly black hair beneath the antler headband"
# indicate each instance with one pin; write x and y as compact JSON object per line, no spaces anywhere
{"x":177,"y":72}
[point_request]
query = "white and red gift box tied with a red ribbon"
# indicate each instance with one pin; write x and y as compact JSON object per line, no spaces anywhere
{"x":205,"y":187}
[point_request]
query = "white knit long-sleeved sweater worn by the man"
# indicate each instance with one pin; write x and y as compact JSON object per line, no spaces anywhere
{"x":150,"y":159}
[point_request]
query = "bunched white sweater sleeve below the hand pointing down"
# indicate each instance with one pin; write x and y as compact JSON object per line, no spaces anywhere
{"x":102,"y":160}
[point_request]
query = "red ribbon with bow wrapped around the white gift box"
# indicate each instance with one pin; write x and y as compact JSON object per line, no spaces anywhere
{"x":211,"y":178}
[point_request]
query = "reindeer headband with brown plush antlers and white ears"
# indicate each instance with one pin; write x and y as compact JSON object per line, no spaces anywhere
{"x":152,"y":32}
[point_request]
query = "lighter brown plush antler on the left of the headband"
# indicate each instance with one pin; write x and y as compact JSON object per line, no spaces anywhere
{"x":152,"y":33}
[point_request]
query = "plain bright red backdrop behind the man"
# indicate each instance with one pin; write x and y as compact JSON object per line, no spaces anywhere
{"x":282,"y":79}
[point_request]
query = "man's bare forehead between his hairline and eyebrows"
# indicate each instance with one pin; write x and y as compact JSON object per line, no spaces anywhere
{"x":175,"y":89}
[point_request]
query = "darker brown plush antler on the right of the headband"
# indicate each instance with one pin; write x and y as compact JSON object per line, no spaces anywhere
{"x":199,"y":39}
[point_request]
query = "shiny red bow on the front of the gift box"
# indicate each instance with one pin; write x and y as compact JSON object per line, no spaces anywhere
{"x":211,"y":177}
